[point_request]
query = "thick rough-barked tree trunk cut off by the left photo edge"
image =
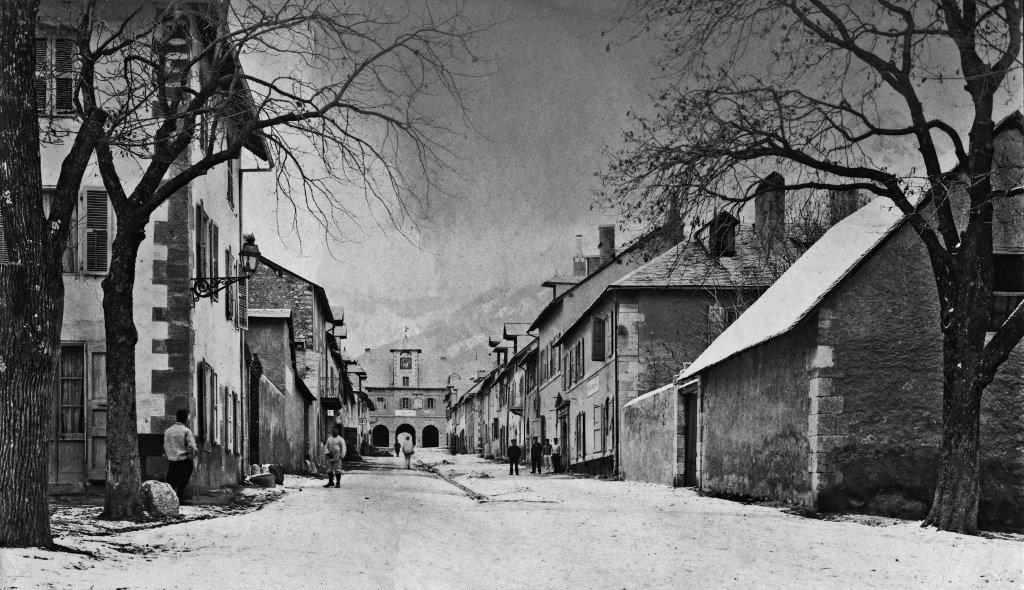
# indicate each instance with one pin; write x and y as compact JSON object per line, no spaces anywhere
{"x":31,"y":293}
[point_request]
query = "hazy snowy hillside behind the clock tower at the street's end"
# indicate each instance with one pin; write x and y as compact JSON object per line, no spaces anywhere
{"x":457,"y":341}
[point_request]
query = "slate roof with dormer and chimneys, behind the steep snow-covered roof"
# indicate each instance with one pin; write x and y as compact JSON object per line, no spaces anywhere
{"x":758,"y":263}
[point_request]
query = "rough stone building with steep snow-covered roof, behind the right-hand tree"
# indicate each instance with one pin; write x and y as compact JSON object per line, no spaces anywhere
{"x":828,"y":392}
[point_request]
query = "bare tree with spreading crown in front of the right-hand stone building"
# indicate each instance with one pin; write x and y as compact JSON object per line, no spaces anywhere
{"x":824,"y":92}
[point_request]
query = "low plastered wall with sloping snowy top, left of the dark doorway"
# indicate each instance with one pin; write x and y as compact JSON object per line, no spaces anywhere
{"x":649,"y":438}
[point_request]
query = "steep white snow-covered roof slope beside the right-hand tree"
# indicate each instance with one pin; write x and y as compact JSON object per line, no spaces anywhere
{"x":801,"y":288}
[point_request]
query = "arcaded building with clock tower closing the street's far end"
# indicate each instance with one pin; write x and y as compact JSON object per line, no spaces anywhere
{"x":407,"y":391}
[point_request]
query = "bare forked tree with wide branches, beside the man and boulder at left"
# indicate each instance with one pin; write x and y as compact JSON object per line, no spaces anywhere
{"x":342,"y":100}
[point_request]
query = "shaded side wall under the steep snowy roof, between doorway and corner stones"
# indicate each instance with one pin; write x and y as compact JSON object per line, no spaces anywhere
{"x":755,"y":422}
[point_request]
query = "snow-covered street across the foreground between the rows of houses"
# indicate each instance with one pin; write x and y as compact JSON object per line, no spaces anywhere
{"x":390,"y":528}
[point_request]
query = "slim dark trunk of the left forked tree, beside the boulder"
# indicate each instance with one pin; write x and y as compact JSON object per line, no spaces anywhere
{"x":124,"y":473}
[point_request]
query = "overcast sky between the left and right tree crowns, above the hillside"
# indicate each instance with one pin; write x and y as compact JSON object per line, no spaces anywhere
{"x":554,"y":101}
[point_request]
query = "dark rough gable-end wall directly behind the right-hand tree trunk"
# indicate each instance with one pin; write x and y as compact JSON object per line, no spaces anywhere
{"x":887,"y":387}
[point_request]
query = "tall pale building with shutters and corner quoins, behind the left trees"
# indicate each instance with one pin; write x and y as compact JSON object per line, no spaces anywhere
{"x":190,"y":353}
